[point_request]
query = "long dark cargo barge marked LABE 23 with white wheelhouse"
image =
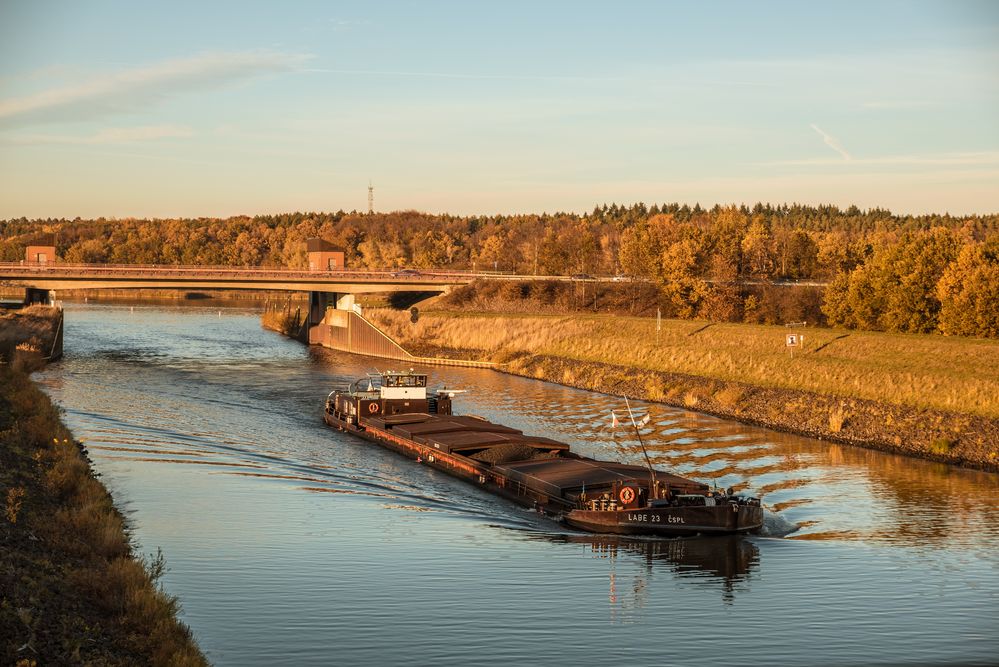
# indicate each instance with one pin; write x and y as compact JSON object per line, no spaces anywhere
{"x":396,"y":411}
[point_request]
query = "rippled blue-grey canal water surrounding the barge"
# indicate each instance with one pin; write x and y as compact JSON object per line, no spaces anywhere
{"x":288,"y":542}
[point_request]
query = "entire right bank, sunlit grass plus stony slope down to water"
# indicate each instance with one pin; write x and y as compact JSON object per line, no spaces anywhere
{"x":925,"y":395}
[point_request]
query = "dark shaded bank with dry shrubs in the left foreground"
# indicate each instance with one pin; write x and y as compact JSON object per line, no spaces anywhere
{"x":72,"y":588}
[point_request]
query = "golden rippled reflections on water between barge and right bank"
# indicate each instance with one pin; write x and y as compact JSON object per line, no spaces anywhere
{"x":831,"y":490}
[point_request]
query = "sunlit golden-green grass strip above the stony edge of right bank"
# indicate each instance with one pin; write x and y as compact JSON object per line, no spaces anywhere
{"x":922,"y":371}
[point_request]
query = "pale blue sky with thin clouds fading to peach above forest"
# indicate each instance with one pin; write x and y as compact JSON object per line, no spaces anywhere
{"x":134,"y":109}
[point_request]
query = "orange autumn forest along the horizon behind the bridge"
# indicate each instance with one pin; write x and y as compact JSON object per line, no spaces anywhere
{"x":877,"y":270}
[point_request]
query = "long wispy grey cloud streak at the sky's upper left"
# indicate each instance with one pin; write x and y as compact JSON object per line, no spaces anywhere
{"x":140,"y":87}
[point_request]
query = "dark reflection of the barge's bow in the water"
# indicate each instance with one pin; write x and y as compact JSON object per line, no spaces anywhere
{"x":725,"y":559}
